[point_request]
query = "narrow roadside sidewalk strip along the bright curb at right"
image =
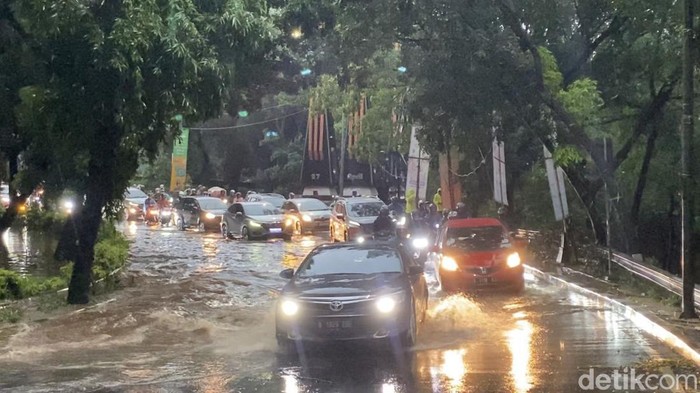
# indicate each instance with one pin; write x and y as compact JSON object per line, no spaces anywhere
{"x":656,"y":311}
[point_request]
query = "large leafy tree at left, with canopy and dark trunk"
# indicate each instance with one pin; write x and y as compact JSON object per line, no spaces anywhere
{"x":117,"y":72}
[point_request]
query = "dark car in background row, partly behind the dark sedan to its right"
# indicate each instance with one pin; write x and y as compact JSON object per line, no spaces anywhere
{"x":203,"y":213}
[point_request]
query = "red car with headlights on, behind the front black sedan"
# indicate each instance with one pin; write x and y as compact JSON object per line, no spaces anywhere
{"x":478,"y":253}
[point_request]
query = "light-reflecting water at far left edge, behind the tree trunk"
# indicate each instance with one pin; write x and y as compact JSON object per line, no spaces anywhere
{"x":29,"y":252}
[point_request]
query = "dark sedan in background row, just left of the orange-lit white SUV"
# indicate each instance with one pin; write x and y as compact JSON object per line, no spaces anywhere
{"x":252,"y":220}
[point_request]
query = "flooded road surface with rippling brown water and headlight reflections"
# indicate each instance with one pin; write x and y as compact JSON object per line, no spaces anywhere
{"x":199,"y":318}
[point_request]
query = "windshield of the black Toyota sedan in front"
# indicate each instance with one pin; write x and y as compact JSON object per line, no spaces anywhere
{"x":350,"y":260}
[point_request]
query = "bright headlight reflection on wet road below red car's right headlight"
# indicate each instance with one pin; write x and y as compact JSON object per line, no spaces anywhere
{"x":519,"y":345}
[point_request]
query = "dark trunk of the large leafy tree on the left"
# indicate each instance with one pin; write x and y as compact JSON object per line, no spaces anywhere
{"x":100,"y":188}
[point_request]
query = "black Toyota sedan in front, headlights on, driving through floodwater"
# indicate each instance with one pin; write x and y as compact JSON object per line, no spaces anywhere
{"x":366,"y":291}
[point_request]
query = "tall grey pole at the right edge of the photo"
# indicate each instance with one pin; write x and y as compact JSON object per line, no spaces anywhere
{"x":687,"y":180}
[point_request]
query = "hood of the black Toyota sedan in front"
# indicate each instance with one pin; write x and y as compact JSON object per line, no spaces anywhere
{"x":346,"y":285}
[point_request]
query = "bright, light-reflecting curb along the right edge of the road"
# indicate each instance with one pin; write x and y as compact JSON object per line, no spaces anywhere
{"x":652,"y":326}
